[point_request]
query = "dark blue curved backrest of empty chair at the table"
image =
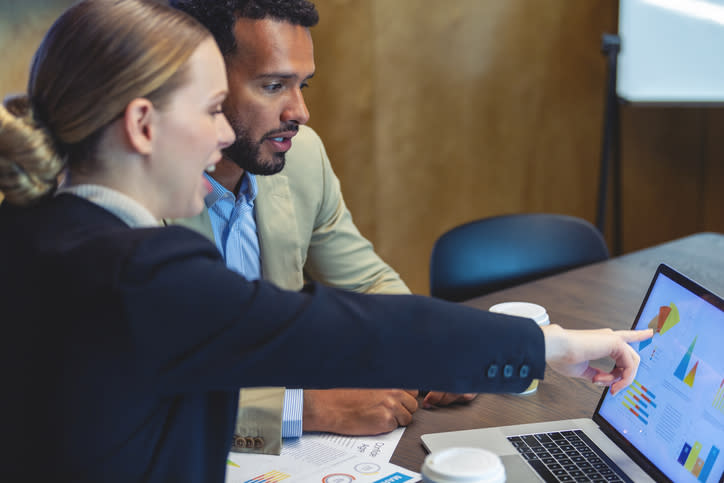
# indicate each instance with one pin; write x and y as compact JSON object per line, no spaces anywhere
{"x":498,"y":252}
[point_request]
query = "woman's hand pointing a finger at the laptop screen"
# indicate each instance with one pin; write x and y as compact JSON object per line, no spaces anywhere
{"x":569,"y":352}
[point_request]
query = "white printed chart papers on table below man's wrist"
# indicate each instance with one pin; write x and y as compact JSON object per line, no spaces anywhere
{"x":326,"y":458}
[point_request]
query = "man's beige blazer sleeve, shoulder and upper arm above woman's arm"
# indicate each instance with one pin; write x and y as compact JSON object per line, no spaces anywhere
{"x":338,"y":255}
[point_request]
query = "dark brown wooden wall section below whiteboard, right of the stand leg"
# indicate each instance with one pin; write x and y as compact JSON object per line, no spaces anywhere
{"x":662,"y":168}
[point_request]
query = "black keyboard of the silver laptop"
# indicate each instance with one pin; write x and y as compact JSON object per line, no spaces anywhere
{"x":567,"y":456}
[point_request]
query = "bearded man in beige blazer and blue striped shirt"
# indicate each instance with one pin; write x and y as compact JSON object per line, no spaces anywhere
{"x":276,"y":212}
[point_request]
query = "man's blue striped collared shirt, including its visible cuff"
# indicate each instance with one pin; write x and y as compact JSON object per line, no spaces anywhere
{"x":234,"y":224}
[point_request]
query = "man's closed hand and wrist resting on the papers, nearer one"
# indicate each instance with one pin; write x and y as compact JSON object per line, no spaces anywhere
{"x":358,"y":412}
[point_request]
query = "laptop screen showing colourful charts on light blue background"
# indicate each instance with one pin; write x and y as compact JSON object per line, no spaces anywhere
{"x":673,"y":413}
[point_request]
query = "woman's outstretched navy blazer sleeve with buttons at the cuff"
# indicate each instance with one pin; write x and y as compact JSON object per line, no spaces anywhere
{"x":197,"y":326}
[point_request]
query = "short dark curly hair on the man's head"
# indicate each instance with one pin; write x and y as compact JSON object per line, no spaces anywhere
{"x":219,"y":16}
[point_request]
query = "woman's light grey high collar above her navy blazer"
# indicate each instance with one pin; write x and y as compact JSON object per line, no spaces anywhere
{"x":133,"y":213}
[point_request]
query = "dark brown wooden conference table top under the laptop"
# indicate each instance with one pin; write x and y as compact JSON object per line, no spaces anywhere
{"x":605,"y":294}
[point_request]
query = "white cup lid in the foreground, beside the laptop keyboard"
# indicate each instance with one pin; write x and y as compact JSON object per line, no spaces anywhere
{"x":463,"y":465}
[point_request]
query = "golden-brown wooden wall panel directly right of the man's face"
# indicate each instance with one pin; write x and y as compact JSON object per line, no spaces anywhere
{"x":340,"y":100}
